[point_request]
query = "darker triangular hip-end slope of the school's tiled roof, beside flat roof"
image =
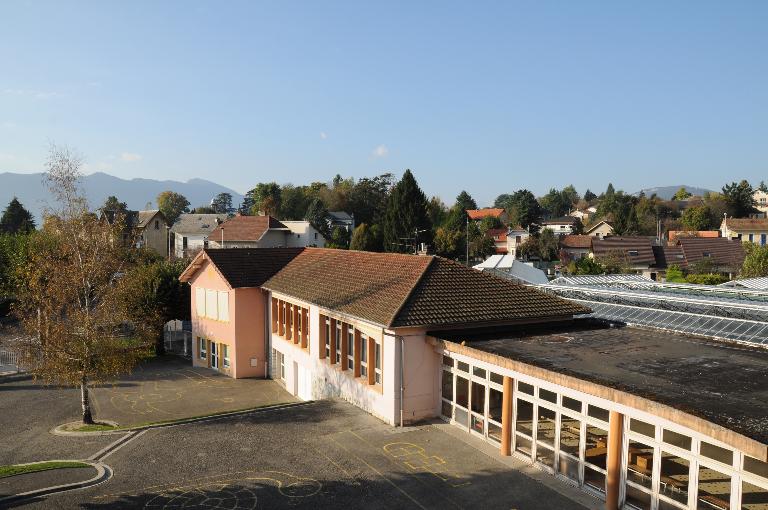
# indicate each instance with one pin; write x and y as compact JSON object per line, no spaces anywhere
{"x":452,"y":294}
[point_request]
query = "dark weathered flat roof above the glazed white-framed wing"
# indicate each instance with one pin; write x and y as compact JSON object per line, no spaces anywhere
{"x":722,"y":383}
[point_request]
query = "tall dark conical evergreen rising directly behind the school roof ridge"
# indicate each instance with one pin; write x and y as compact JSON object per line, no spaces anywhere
{"x":406,"y":214}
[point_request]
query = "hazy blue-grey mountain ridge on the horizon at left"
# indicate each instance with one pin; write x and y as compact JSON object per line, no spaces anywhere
{"x":31,"y":191}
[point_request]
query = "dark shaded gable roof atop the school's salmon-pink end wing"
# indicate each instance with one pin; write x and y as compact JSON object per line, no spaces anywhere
{"x":243,"y":267}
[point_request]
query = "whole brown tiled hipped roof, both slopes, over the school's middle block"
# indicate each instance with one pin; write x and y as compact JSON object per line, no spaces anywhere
{"x":406,"y":290}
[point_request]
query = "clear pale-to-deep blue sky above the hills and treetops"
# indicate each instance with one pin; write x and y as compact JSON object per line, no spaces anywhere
{"x":488,"y":97}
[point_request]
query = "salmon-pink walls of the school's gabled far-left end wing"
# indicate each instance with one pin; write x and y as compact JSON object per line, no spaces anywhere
{"x":243,"y":333}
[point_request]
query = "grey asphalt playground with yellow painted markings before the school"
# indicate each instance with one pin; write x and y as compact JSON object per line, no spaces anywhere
{"x":325,"y":454}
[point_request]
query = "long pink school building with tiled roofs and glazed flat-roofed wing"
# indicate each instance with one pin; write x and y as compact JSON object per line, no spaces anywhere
{"x":640,"y":418}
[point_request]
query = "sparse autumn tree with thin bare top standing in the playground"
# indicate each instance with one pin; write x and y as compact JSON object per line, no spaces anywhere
{"x":72,"y":302}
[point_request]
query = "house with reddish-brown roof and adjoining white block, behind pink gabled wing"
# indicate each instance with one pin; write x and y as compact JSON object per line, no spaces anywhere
{"x":263,"y":232}
